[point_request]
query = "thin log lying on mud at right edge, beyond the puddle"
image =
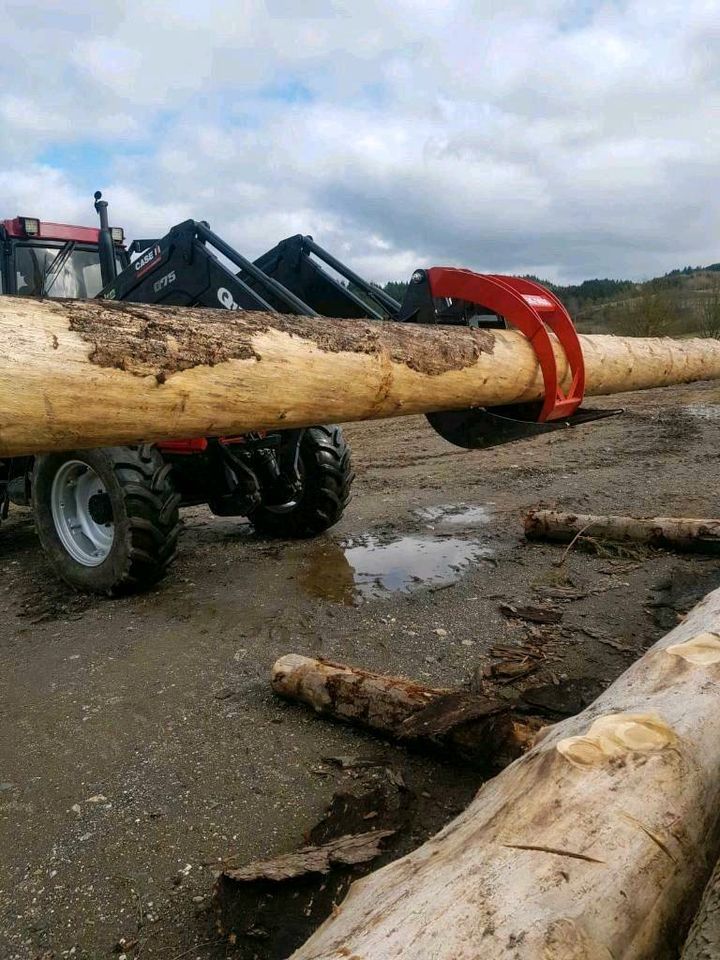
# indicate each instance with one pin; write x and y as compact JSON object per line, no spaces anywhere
{"x":679,"y":533}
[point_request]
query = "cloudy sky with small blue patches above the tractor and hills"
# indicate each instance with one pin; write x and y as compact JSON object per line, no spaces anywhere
{"x":566,"y":138}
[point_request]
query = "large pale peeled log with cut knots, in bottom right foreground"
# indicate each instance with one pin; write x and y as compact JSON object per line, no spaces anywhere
{"x":595,"y":845}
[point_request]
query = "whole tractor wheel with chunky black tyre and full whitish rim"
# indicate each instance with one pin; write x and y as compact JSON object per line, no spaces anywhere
{"x":108,"y":518}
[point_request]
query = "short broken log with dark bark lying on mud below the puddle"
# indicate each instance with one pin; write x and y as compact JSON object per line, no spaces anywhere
{"x":478,"y":729}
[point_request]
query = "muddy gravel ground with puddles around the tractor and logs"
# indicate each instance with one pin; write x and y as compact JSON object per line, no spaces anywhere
{"x":140,"y":745}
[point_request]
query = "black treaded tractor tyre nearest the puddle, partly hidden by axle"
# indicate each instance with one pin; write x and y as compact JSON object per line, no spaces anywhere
{"x":327,"y":476}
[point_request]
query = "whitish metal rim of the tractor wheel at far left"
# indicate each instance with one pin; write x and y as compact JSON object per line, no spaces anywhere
{"x":87,"y":541}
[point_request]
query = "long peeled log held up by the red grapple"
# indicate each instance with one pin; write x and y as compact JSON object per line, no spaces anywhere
{"x":91,"y":373}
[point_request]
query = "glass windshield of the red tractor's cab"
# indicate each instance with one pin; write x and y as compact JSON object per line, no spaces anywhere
{"x":59,"y":271}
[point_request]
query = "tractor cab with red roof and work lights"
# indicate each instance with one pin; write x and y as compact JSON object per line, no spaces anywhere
{"x":42,"y":259}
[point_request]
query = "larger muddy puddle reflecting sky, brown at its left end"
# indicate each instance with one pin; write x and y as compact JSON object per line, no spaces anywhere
{"x":369,"y":568}
